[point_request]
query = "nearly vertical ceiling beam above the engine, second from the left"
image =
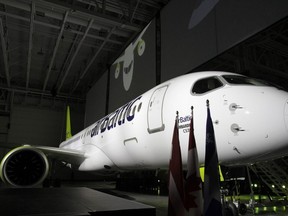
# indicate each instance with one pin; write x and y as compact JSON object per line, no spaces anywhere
{"x":30,"y":43}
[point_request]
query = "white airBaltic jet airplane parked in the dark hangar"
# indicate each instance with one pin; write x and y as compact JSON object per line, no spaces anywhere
{"x":250,"y":121}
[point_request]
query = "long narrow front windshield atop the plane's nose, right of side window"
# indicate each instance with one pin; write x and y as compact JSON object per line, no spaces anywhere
{"x":242,"y":80}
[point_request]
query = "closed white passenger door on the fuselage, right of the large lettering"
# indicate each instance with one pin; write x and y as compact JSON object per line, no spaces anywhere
{"x":155,"y":110}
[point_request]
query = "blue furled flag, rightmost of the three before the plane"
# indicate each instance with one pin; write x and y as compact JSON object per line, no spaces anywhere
{"x":212,"y":199}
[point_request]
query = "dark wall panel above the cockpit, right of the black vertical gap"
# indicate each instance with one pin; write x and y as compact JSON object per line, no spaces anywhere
{"x":195,"y":31}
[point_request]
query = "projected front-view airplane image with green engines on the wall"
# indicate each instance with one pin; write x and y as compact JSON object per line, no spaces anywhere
{"x":125,"y":63}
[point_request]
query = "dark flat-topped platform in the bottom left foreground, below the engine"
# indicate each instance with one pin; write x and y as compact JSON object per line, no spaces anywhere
{"x":64,"y":201}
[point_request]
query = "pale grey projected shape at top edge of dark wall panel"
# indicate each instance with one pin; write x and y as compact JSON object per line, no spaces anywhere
{"x":200,"y":12}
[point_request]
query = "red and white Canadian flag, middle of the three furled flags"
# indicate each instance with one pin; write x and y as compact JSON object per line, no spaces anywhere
{"x":193,"y":183}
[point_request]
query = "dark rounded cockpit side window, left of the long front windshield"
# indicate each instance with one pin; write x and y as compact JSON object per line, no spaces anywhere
{"x":205,"y":85}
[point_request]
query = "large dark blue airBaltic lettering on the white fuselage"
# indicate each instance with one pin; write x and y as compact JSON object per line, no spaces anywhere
{"x":118,"y":117}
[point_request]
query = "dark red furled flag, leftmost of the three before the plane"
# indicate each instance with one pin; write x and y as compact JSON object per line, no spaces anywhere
{"x":176,"y":190}
